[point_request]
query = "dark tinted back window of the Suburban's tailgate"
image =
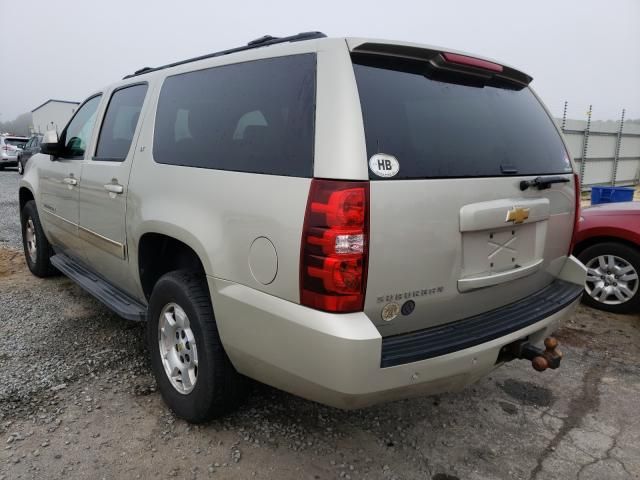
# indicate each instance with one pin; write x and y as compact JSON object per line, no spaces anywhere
{"x":443,"y":129}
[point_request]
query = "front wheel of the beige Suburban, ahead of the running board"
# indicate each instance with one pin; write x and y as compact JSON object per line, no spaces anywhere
{"x":37,"y":250}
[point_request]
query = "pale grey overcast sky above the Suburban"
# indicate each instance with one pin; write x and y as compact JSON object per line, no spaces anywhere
{"x":582,"y":51}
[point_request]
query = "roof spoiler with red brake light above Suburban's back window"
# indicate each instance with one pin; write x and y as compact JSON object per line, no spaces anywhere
{"x":447,"y":61}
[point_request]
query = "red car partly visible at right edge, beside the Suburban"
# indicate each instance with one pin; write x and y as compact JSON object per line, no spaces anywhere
{"x":608,"y":243}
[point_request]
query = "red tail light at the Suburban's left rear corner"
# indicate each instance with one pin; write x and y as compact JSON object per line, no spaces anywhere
{"x":333,"y":256}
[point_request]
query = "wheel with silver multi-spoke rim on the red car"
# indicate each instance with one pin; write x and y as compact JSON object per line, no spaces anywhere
{"x":612,"y":277}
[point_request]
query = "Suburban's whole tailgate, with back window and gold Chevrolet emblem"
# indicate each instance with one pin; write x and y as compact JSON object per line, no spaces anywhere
{"x":452,"y":234}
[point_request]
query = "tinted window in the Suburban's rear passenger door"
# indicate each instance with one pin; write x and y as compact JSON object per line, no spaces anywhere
{"x":119,"y":124}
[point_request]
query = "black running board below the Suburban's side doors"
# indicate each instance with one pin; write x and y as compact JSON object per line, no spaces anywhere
{"x":115,"y":299}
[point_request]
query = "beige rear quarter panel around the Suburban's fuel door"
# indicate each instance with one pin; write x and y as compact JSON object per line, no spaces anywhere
{"x":219,"y":214}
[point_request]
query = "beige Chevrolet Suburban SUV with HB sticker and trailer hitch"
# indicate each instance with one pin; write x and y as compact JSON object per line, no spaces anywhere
{"x":350,"y":220}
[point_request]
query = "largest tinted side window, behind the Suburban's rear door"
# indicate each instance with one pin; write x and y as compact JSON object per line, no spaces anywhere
{"x":256,"y":117}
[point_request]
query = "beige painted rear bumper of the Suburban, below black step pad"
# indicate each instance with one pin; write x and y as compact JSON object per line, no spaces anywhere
{"x":336,"y":359}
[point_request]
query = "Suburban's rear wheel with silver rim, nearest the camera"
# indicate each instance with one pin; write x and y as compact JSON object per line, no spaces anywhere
{"x":194,"y":375}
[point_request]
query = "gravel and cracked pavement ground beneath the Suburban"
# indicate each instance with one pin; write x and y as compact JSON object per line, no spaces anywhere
{"x":77,"y":400}
